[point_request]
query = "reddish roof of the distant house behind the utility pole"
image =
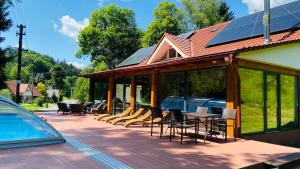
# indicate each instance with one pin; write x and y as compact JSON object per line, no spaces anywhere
{"x":23,"y":87}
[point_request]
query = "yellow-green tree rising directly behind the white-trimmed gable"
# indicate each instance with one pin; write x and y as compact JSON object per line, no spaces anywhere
{"x":167,"y":18}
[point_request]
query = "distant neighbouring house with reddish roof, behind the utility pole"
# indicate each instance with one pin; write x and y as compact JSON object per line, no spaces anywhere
{"x":27,"y":91}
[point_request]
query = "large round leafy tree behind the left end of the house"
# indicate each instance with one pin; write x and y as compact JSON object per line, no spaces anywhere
{"x":111,"y":36}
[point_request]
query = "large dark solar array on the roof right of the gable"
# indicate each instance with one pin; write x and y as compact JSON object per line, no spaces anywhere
{"x":282,"y":18}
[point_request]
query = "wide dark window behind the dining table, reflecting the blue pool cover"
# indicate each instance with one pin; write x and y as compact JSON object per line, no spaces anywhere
{"x":188,"y":90}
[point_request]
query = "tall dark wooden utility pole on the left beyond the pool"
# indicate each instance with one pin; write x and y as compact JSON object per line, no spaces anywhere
{"x":20,"y":50}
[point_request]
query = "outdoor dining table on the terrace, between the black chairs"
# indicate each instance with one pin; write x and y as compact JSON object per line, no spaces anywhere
{"x":197,"y":117}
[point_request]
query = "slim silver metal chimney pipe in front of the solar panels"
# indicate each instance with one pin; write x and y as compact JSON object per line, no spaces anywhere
{"x":266,"y":22}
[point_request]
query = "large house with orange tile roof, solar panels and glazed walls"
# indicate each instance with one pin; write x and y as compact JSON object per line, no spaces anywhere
{"x":229,"y":62}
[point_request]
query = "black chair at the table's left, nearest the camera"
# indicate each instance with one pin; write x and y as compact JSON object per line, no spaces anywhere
{"x":177,"y":120}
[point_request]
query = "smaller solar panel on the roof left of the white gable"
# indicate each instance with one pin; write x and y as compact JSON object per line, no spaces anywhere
{"x":137,"y":57}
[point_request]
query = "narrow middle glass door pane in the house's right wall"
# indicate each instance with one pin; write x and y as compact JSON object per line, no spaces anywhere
{"x":271,"y":102}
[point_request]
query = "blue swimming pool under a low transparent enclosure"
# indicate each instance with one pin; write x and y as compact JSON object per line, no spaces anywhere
{"x":20,"y":128}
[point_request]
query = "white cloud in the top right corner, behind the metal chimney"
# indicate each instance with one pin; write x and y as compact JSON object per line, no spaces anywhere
{"x":258,"y":5}
